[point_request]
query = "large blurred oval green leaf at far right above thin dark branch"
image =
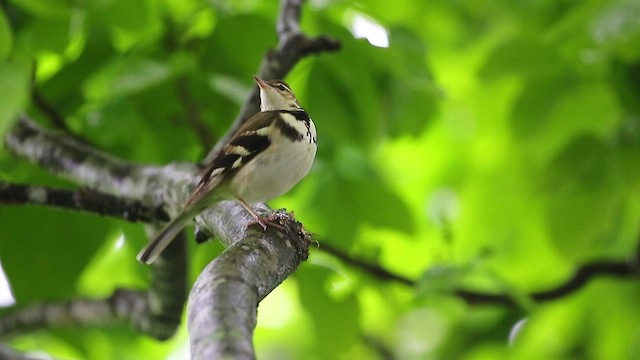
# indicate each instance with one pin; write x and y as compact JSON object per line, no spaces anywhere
{"x":584,"y":199}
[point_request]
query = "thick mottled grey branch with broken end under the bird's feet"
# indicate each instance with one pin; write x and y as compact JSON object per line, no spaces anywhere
{"x":222,"y":304}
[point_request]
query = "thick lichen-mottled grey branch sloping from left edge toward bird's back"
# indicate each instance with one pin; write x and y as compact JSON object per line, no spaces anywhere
{"x":155,"y":186}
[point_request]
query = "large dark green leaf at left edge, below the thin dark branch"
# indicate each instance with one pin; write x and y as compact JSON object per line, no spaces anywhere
{"x":44,"y":261}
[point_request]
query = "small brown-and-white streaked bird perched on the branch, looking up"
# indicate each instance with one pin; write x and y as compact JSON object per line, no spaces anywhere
{"x":267,"y":156}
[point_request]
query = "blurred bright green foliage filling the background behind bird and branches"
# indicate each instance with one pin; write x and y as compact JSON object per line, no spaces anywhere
{"x":492,"y":146}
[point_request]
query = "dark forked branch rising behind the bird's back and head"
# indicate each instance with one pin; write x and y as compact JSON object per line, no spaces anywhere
{"x":292,"y":47}
